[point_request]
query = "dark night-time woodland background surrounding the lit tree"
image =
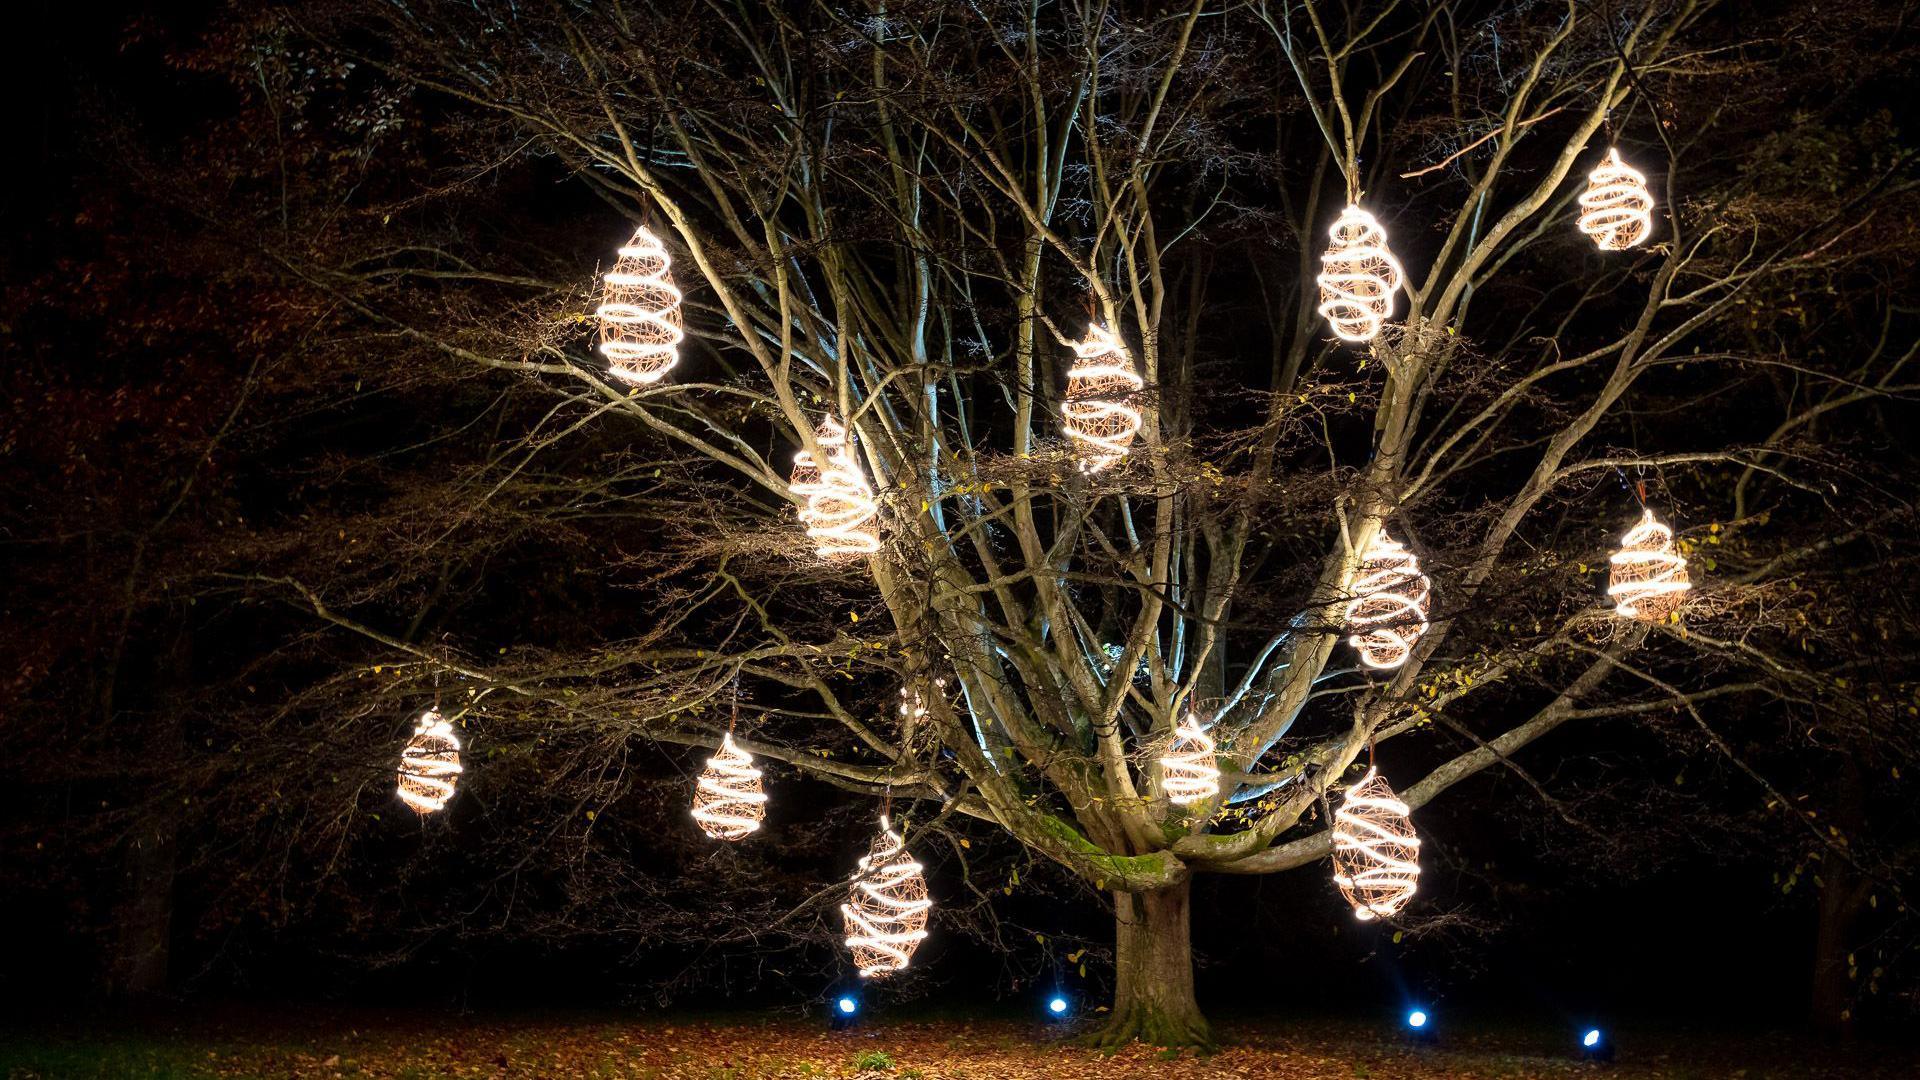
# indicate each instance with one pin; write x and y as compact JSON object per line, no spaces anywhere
{"x":187,"y":806}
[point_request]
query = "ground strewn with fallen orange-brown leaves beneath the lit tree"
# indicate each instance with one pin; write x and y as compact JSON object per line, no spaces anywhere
{"x":306,"y":1044}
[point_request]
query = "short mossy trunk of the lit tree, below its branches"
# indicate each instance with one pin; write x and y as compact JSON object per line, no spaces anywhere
{"x":1155,"y":973}
